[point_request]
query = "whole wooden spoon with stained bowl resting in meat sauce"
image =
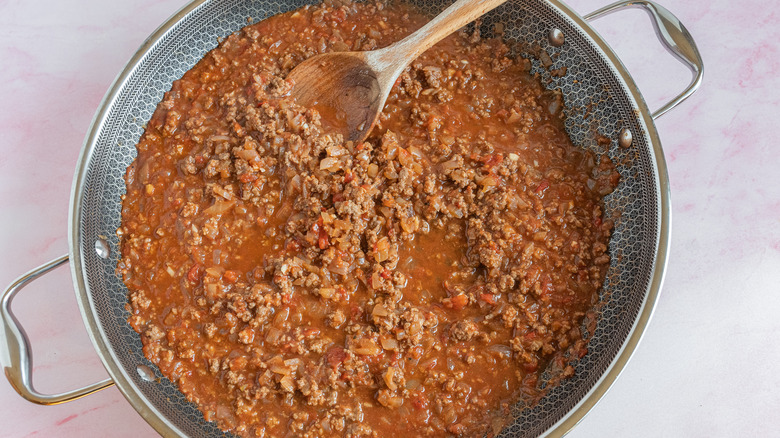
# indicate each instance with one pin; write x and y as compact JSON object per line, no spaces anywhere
{"x":349,"y":89}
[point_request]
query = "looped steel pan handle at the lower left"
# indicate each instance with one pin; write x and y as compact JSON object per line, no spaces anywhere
{"x":15,"y":352}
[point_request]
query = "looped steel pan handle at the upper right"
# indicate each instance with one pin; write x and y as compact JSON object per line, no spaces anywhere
{"x":675,"y":37}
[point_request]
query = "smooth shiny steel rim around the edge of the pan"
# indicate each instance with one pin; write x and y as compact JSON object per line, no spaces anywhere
{"x":166,"y":428}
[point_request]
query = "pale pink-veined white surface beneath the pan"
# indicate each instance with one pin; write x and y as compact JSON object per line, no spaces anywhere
{"x":707,"y":366}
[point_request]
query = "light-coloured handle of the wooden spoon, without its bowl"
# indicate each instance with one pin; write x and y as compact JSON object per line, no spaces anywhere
{"x":457,"y":15}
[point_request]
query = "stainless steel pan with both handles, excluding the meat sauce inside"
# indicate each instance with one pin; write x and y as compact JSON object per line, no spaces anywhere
{"x":601,"y":97}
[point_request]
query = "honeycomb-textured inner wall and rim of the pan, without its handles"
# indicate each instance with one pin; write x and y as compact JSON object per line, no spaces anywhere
{"x":597,"y":100}
